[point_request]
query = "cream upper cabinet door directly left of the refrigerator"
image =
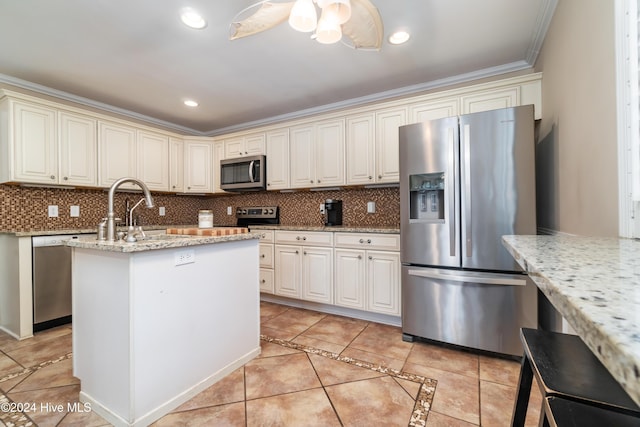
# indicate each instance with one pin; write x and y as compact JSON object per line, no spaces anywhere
{"x":387,"y":138}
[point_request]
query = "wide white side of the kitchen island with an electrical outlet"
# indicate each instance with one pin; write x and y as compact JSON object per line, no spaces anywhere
{"x":192,"y":323}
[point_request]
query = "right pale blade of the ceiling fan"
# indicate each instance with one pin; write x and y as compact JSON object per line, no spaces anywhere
{"x":364,"y":29}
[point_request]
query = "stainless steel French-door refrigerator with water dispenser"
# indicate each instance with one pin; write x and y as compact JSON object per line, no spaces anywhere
{"x":464,"y":182}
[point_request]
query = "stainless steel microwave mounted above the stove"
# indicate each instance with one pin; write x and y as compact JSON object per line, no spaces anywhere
{"x":243,"y":173}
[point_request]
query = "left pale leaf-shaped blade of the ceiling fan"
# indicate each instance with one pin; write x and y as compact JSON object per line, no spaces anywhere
{"x":267,"y":16}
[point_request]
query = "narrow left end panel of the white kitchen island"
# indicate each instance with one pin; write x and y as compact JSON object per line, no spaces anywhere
{"x":101,"y":317}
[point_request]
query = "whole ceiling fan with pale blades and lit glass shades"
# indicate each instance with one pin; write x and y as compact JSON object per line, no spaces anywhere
{"x":357,"y":23}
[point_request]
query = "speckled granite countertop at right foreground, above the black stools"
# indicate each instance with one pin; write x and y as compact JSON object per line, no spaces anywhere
{"x":595,"y":285}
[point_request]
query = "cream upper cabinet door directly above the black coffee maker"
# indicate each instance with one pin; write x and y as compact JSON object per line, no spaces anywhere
{"x":329,"y":149}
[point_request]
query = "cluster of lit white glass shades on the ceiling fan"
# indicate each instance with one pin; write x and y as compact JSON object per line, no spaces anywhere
{"x":334,"y":13}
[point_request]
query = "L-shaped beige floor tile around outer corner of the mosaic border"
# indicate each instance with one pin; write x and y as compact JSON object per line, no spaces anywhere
{"x":456,"y":395}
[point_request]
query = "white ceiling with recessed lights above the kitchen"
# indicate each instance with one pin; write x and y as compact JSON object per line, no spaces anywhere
{"x":137,"y":56}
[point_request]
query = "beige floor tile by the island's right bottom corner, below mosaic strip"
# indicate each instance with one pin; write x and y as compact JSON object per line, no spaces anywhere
{"x":270,"y":376}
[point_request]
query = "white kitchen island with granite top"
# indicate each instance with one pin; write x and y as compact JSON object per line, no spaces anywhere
{"x":157,"y":321}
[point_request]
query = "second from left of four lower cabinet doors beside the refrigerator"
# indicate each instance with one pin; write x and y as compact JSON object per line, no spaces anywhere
{"x":317,"y":270}
